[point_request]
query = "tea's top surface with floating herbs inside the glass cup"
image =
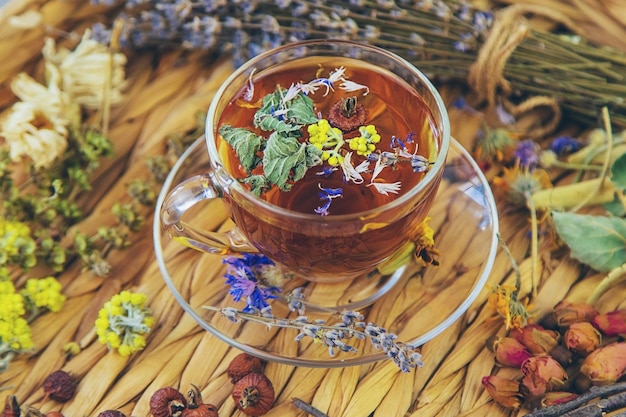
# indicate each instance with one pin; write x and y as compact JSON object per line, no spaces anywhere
{"x":328,"y":136}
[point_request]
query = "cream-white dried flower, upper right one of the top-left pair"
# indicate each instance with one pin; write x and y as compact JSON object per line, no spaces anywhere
{"x":88,"y":71}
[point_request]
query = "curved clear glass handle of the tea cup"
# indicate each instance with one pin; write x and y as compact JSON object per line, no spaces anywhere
{"x":180,"y":199}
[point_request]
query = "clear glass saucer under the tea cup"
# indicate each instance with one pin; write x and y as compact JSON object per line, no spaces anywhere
{"x":415,"y":302}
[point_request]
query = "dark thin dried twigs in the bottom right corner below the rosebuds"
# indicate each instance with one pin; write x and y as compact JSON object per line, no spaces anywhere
{"x":609,"y":404}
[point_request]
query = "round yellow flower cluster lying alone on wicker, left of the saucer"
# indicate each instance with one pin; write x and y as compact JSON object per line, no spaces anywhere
{"x":123,"y":322}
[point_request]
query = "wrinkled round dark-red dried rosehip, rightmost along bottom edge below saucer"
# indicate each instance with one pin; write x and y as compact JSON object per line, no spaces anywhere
{"x":254,"y":394}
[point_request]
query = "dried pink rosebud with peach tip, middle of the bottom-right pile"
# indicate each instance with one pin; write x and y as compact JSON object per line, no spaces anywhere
{"x":543,"y":374}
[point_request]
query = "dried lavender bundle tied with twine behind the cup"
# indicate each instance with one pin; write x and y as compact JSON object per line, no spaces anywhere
{"x":441,"y":37}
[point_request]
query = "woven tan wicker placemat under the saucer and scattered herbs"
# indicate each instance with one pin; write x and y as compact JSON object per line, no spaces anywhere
{"x":164,"y":96}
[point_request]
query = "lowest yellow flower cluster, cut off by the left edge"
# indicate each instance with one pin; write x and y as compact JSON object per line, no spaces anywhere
{"x":15,"y":334}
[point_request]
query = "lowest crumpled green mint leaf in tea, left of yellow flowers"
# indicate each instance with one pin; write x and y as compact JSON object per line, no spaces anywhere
{"x":286,"y":159}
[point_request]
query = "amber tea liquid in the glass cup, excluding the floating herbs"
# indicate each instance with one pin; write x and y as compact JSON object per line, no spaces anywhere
{"x":329,"y":248}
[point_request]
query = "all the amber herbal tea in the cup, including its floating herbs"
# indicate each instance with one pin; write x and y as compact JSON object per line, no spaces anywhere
{"x":329,"y":137}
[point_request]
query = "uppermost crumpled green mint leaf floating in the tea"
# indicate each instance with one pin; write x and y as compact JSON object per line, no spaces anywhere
{"x":285,"y":117}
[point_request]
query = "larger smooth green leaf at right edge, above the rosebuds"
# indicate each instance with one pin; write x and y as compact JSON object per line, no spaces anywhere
{"x":597,"y":241}
